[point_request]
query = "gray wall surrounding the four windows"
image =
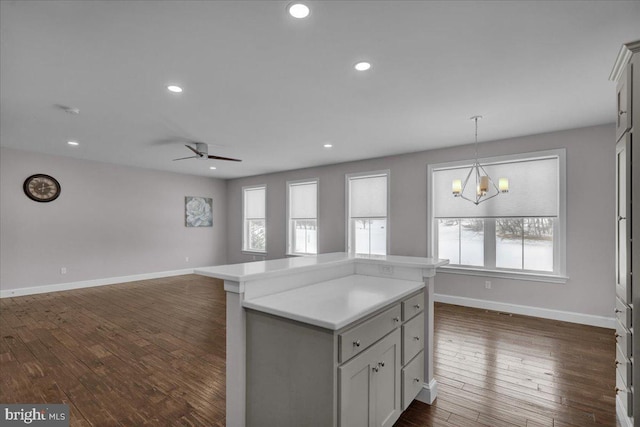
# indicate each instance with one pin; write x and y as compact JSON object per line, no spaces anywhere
{"x":590,"y":217}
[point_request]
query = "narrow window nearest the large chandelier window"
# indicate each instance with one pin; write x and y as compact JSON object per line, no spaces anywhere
{"x":367,"y":200}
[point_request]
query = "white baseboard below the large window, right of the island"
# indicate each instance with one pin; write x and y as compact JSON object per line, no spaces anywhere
{"x":545,"y":313}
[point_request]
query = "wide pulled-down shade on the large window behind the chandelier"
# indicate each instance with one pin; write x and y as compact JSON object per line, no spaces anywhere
{"x":533,"y":191}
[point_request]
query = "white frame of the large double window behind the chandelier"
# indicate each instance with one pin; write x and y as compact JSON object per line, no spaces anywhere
{"x":559,"y":231}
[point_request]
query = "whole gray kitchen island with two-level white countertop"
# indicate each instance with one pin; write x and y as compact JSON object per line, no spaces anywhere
{"x":329,"y":340}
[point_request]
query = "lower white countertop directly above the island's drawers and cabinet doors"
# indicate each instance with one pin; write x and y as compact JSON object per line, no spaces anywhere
{"x":336,"y":303}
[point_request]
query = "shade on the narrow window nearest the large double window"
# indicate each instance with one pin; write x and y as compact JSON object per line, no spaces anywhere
{"x":368,"y":196}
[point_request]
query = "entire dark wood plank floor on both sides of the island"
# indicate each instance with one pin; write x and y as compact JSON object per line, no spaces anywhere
{"x":153,"y":353}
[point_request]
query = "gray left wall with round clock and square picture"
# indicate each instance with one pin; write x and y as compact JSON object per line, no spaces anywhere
{"x":109,"y":221}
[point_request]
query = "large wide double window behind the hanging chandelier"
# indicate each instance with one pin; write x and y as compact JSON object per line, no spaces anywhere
{"x":520,"y":233}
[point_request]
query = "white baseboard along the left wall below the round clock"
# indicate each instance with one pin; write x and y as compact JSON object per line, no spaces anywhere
{"x":8,"y":293}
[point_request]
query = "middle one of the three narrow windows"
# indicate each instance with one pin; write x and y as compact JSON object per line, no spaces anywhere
{"x":302,"y":214}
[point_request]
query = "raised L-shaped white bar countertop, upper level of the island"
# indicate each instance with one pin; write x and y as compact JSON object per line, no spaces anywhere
{"x":272,"y":268}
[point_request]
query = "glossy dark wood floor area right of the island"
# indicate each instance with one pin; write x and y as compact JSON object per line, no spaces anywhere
{"x":494,"y":369}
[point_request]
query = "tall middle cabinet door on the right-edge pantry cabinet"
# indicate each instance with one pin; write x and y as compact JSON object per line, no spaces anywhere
{"x":623,"y":240}
